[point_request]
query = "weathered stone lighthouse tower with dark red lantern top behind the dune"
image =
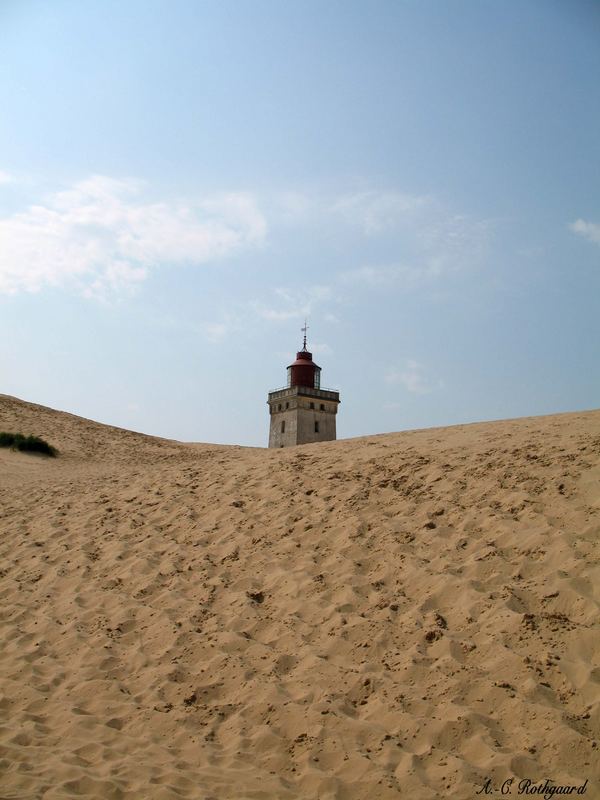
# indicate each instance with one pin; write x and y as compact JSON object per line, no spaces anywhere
{"x":302,"y":412}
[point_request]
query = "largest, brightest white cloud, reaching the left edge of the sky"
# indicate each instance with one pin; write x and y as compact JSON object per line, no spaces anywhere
{"x":101,"y":237}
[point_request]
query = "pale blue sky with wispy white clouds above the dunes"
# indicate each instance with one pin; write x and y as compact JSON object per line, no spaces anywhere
{"x":184,"y":182}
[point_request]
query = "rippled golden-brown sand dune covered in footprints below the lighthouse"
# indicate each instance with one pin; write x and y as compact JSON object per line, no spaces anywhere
{"x":399,"y":615}
